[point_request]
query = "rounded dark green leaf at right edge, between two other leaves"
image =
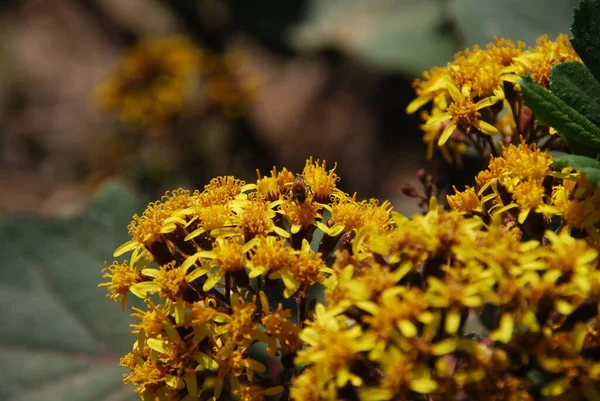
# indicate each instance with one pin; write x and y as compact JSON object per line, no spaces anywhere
{"x":576,"y":86}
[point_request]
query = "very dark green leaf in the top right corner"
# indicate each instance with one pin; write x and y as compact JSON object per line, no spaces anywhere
{"x":586,"y":31}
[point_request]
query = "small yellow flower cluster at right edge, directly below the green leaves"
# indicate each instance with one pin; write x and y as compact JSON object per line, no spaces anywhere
{"x":520,"y":187}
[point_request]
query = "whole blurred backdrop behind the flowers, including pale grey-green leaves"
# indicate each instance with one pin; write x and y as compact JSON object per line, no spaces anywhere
{"x":105,"y":104}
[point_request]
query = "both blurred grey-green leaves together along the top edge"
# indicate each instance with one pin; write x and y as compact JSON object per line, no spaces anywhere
{"x":411,"y":36}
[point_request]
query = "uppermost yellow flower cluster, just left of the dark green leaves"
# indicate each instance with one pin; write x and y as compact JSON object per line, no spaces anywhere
{"x":475,"y":96}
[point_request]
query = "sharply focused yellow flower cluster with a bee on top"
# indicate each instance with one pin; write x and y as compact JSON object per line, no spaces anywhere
{"x":227,"y":270}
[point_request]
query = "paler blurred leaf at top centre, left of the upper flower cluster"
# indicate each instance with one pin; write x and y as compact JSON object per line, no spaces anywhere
{"x":401,"y":35}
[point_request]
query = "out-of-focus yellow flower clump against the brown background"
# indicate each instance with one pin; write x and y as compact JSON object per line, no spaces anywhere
{"x":157,"y":75}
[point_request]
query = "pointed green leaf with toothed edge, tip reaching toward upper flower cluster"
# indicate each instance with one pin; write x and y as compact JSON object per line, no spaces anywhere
{"x":579,"y":133}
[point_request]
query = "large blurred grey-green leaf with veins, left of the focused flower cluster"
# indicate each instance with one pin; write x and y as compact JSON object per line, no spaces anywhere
{"x":60,"y":338}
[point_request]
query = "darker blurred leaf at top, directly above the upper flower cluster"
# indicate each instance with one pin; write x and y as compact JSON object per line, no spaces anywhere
{"x":480,"y":21}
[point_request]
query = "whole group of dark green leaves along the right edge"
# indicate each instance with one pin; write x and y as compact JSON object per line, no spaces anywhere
{"x":573,"y":106}
